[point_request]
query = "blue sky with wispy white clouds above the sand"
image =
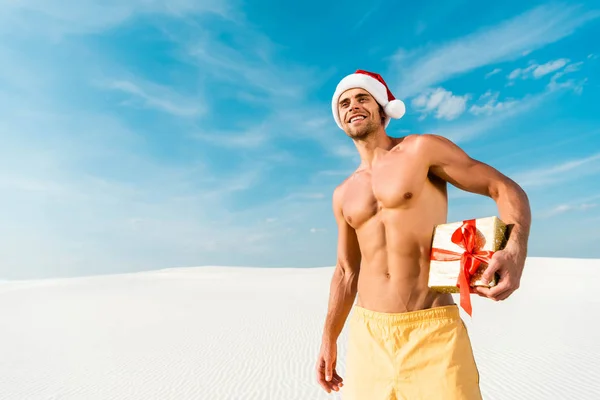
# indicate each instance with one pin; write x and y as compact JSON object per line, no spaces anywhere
{"x":144,"y":134}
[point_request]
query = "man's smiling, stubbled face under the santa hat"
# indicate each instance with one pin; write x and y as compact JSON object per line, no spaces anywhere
{"x":360,"y":114}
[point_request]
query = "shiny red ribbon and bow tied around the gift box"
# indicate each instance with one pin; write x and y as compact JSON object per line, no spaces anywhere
{"x":470,"y":259}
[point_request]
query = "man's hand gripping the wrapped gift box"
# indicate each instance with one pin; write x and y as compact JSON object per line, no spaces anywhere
{"x":509,"y":267}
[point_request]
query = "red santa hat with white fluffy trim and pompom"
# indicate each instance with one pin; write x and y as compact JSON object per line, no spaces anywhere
{"x":376,"y":86}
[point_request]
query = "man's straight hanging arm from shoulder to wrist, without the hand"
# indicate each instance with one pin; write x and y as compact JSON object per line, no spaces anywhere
{"x":345,"y":277}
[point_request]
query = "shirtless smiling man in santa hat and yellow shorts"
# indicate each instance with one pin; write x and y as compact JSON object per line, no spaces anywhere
{"x":405,"y":340}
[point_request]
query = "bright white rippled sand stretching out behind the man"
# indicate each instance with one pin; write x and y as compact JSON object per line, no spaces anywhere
{"x":243,"y":333}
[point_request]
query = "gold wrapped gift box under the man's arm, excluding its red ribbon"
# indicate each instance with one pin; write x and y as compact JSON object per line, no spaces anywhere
{"x":491,"y":234}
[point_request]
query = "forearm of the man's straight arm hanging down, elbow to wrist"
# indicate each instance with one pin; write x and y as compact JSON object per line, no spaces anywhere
{"x":342,"y":294}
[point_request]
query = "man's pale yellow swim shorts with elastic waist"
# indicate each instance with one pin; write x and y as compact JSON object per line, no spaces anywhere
{"x":409,"y":356}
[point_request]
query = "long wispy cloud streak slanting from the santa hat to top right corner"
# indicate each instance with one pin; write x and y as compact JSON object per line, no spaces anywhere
{"x":417,"y":70}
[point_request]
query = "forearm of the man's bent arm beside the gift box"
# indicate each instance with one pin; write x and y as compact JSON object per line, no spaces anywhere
{"x":514,"y":209}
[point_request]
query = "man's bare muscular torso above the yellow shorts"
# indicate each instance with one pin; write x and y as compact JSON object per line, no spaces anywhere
{"x":393,"y":208}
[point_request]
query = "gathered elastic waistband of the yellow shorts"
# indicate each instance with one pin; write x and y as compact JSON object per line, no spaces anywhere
{"x":449,"y":312}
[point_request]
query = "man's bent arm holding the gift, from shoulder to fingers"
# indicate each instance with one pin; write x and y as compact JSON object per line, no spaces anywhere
{"x":451,"y":163}
